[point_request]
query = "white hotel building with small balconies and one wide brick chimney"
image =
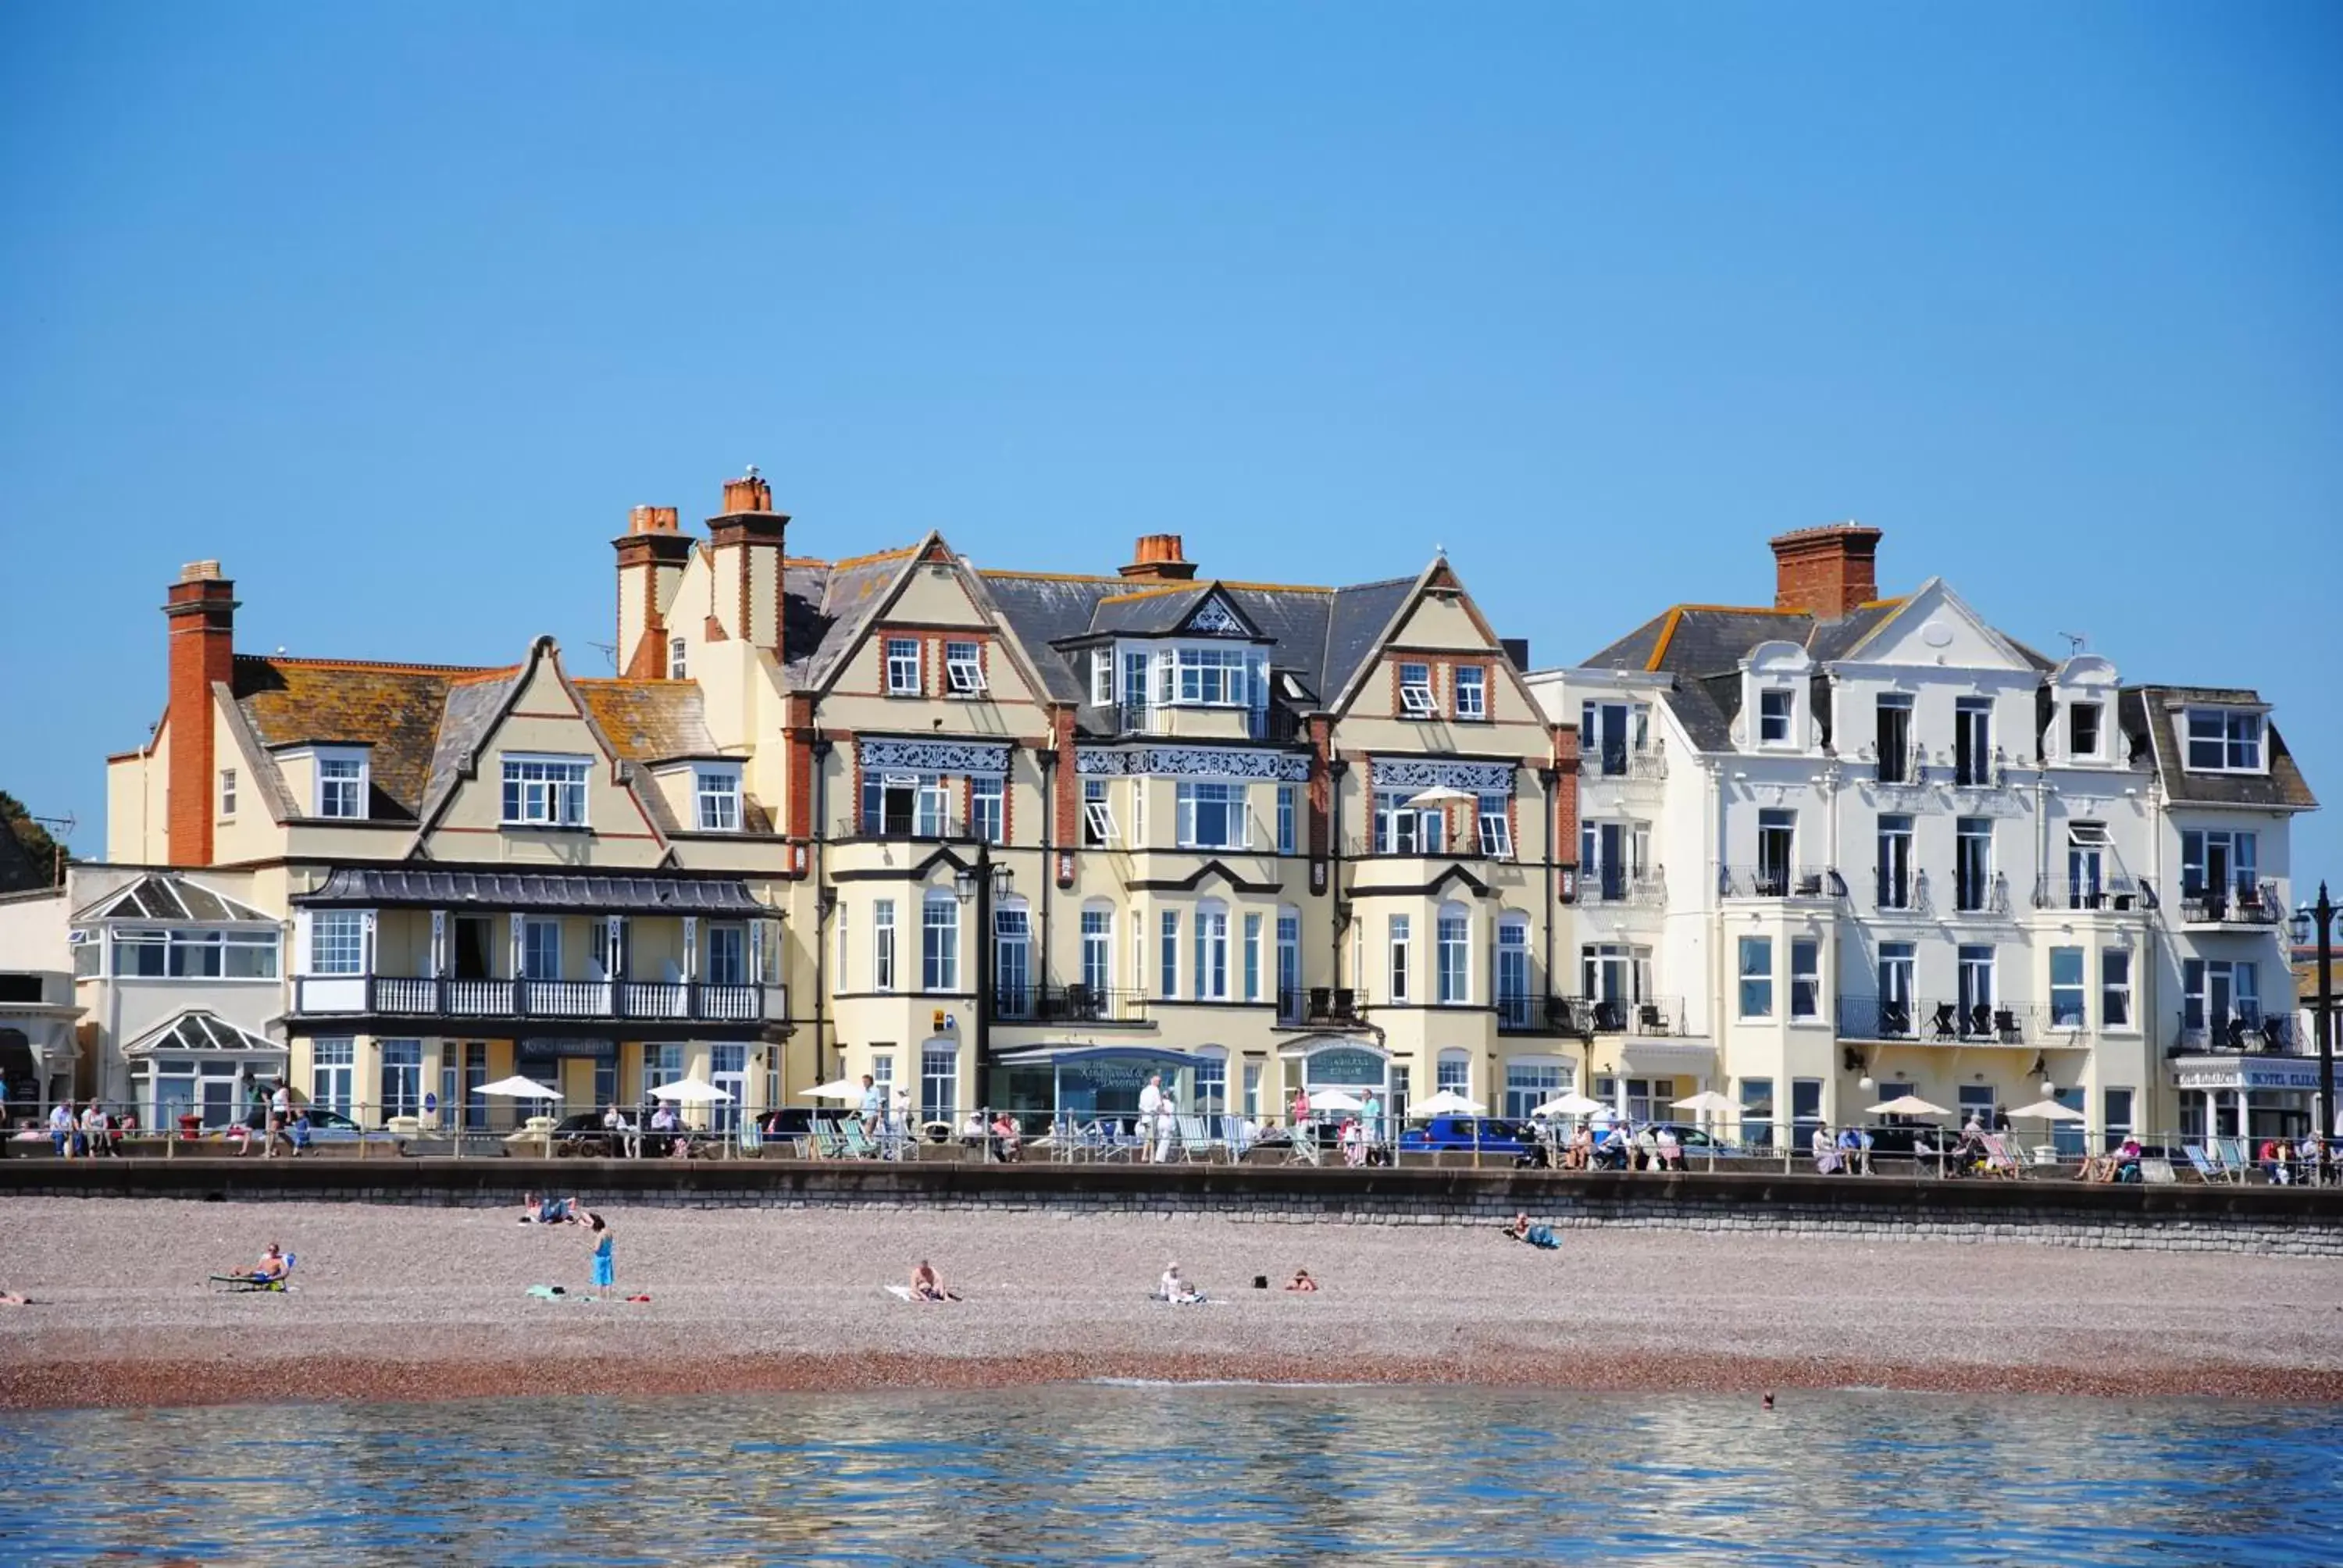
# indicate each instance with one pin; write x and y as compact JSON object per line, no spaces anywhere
{"x":1850,"y":847}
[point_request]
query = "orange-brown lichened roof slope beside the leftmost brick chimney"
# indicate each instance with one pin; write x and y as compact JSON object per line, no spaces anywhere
{"x":395,"y":709}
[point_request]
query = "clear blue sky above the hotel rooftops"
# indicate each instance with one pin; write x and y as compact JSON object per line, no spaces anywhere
{"x":397,"y":311}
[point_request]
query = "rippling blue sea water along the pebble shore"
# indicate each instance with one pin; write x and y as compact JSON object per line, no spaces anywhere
{"x":1184,"y":1473}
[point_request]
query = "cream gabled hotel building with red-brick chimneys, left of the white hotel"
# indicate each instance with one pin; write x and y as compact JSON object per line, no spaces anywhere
{"x":992,"y":838}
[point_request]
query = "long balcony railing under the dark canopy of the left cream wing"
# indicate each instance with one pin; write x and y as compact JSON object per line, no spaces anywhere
{"x":599,"y":1002}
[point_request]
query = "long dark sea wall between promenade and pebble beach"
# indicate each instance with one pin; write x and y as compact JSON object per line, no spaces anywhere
{"x":1880,"y":1208}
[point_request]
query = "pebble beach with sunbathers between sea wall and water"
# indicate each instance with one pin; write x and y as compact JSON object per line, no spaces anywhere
{"x":430,"y":1304}
